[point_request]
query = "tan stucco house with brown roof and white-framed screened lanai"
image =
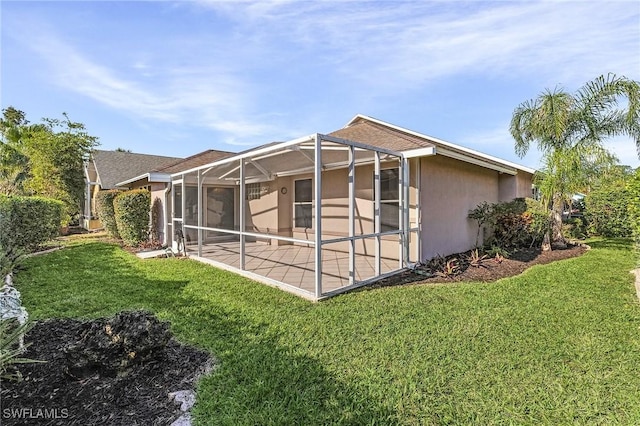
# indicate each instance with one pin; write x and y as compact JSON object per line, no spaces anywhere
{"x":323,"y":214}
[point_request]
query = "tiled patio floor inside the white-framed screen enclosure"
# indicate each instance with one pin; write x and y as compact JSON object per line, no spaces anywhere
{"x":294,"y":265}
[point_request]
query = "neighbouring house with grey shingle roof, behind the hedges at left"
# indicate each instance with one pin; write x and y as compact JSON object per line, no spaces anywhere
{"x":104,"y":170}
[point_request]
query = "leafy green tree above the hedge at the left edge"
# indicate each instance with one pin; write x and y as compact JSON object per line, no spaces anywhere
{"x":49,"y":154}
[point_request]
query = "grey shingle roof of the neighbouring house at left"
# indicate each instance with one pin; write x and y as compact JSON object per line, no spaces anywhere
{"x":113,"y":167}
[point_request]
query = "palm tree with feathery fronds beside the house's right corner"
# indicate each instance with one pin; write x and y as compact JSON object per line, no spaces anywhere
{"x":570,"y":130}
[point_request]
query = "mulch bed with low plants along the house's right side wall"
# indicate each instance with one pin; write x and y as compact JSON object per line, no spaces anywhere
{"x":490,"y":270}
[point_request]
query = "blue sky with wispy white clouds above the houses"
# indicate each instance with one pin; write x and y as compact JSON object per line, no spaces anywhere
{"x":176,"y":78}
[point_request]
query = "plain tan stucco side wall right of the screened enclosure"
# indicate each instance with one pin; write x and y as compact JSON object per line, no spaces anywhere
{"x":450,"y":188}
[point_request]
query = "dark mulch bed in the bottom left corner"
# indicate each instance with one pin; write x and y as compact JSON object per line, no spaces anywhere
{"x":52,"y":393}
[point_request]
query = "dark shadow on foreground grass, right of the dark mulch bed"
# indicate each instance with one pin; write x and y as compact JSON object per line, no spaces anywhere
{"x":260,"y":380}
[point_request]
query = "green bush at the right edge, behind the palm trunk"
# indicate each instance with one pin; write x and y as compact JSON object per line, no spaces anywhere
{"x":607,"y":213}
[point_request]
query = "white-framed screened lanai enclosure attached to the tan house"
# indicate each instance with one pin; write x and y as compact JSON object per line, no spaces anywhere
{"x":316,"y":216}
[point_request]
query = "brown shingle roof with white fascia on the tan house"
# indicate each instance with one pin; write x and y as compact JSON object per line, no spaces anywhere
{"x":378,"y":133}
